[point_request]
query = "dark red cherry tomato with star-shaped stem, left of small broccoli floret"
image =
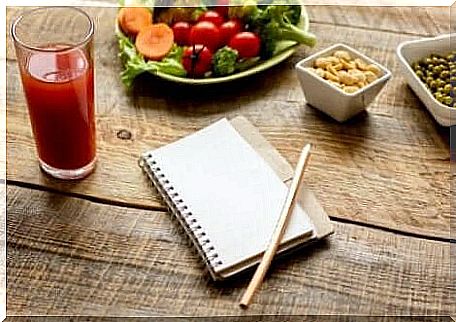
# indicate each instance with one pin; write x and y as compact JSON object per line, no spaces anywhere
{"x":197,"y":60}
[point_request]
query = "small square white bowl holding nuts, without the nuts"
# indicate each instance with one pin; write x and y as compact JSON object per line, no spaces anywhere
{"x":330,"y":99}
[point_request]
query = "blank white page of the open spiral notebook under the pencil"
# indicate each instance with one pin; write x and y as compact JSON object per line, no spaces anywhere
{"x":232,"y":192}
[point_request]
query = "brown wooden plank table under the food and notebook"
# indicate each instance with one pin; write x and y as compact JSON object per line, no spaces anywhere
{"x":106,"y":245}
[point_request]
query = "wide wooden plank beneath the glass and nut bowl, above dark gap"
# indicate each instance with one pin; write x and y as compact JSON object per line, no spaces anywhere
{"x":388,"y":167}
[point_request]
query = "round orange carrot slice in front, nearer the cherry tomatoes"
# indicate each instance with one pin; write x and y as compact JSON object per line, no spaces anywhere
{"x":155,"y":41}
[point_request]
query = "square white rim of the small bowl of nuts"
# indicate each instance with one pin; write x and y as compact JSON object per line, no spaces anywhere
{"x":386,"y":72}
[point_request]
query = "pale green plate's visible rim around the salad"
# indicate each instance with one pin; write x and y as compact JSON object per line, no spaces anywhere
{"x":288,"y":49}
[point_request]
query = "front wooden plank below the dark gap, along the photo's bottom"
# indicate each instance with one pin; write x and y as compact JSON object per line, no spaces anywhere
{"x":73,"y":257}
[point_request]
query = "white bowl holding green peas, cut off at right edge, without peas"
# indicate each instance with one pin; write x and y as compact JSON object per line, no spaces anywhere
{"x":412,"y":51}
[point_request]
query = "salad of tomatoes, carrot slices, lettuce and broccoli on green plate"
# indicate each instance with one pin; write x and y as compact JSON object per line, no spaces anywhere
{"x":204,"y":41}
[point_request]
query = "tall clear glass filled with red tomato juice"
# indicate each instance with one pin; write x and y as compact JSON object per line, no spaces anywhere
{"x":54,"y":49}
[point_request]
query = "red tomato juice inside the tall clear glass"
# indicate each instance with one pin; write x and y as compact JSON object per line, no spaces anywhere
{"x":59,"y":87}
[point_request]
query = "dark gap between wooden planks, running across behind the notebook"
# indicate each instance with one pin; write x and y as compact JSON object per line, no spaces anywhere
{"x":110,"y":202}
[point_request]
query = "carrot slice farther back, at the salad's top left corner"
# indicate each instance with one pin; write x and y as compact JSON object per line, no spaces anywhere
{"x":133,"y":19}
